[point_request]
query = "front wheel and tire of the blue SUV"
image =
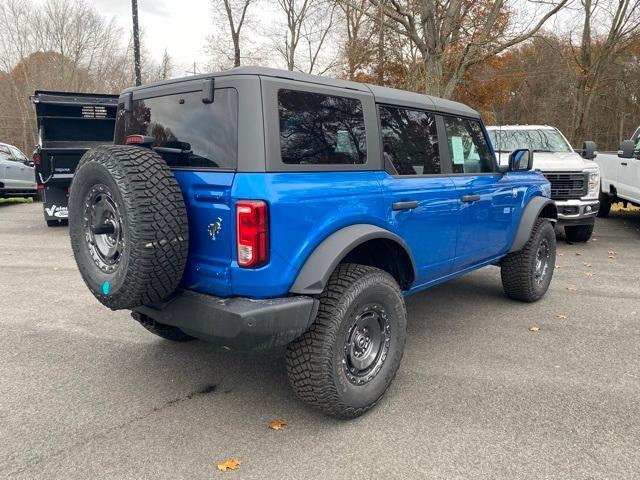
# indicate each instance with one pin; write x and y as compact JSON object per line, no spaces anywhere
{"x":526,"y":274}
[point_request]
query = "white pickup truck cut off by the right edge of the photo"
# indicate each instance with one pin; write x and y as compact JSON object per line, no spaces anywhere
{"x":620,"y":175}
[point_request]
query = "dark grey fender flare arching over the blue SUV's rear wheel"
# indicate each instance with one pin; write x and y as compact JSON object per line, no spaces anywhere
{"x":315,"y":273}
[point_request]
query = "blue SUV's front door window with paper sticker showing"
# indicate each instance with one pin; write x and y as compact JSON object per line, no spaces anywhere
{"x":470,"y":152}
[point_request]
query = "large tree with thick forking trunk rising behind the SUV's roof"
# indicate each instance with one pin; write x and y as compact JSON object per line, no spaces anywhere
{"x":453,"y":36}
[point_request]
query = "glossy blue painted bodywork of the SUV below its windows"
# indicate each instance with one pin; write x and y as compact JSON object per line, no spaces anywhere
{"x":446,"y":236}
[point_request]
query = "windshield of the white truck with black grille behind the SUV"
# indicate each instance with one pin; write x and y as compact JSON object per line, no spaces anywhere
{"x":541,"y":140}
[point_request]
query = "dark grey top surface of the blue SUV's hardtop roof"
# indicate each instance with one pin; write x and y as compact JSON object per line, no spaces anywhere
{"x":385,"y":95}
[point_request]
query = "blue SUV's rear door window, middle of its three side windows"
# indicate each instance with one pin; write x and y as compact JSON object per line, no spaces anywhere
{"x":409,"y":140}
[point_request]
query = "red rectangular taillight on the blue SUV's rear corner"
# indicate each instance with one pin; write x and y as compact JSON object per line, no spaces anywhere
{"x":252,"y":233}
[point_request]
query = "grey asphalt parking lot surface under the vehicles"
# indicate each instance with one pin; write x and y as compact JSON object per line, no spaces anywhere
{"x":88,"y":393}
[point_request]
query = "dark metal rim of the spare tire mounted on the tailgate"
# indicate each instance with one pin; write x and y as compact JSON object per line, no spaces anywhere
{"x":103,"y":228}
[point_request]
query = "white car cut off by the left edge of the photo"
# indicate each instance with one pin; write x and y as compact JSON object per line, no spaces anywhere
{"x":17,"y":173}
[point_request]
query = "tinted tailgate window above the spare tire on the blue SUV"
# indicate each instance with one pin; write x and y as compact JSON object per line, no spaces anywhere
{"x":188,"y":133}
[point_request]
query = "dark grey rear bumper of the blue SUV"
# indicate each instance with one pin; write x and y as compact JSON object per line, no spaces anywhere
{"x":236,"y":322}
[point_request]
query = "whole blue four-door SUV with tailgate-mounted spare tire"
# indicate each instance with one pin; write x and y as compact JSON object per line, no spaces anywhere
{"x":256,"y":208}
